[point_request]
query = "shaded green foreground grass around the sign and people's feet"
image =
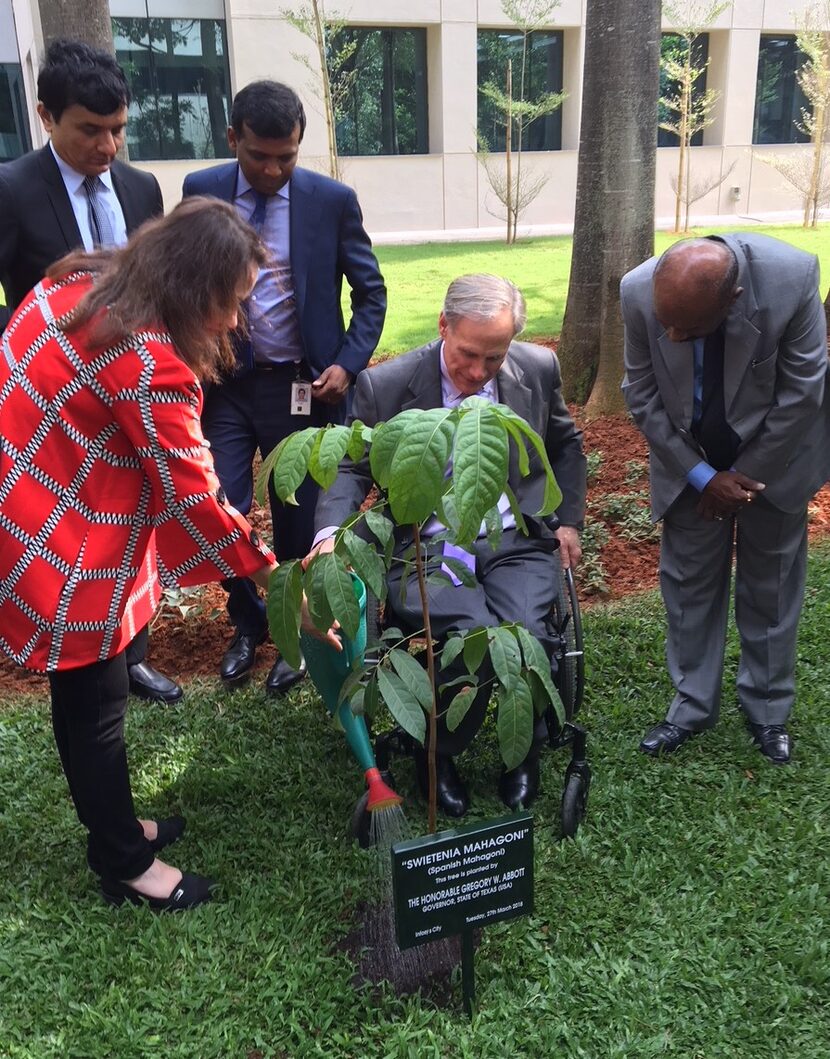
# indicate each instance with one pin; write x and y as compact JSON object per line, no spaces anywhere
{"x":690,"y":918}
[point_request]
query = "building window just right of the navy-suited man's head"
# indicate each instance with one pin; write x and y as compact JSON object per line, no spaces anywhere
{"x":382,"y":105}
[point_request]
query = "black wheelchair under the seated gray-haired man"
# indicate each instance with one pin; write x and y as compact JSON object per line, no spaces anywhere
{"x":566,"y":625}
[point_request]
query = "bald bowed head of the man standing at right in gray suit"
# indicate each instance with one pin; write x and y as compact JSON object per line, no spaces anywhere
{"x":694,"y":288}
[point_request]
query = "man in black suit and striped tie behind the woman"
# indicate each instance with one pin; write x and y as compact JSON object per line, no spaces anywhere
{"x":74,"y":193}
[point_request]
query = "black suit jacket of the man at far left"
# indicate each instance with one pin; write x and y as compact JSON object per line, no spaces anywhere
{"x":38,"y":225}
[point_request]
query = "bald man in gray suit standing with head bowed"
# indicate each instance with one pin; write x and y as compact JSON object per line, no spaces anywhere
{"x":726,"y":367}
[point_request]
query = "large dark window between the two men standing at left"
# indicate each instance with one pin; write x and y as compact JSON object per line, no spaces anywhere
{"x":178,"y":74}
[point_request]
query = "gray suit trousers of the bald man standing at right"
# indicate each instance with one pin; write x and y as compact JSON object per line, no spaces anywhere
{"x":696,"y":564}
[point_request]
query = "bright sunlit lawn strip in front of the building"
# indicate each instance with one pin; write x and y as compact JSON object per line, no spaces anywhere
{"x":418,"y":278}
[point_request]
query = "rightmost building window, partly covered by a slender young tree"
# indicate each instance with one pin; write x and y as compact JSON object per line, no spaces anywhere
{"x":779,"y":99}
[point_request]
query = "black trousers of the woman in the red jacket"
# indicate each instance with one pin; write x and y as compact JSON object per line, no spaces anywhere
{"x":88,"y":710}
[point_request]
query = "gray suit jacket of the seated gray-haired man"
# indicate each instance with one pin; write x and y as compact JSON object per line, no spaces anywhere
{"x":529,"y":383}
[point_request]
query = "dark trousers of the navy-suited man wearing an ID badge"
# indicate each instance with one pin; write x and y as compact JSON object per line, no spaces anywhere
{"x":244,"y":415}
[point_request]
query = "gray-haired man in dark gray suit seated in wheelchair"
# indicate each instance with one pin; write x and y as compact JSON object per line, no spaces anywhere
{"x":477,"y":355}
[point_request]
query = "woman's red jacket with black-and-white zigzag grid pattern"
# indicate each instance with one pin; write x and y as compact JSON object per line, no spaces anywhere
{"x":106,"y":488}
